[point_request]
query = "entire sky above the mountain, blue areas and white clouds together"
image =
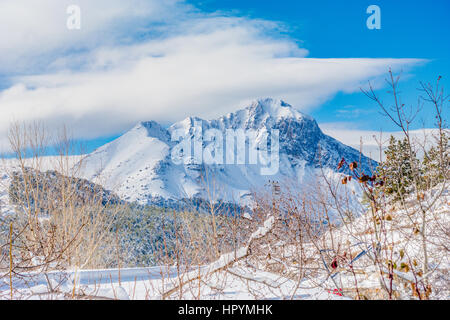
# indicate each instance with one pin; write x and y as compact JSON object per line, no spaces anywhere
{"x":161,"y":60}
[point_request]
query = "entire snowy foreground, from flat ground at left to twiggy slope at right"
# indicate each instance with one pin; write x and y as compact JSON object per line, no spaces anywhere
{"x":244,"y":275}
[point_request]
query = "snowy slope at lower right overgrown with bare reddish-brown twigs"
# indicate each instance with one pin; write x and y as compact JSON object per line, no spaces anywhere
{"x":363,"y":256}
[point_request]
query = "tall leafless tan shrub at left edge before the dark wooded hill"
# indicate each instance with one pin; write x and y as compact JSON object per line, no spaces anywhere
{"x":59,"y":222}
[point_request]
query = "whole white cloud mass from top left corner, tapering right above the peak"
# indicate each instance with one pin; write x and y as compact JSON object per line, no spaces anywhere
{"x":187,"y":63}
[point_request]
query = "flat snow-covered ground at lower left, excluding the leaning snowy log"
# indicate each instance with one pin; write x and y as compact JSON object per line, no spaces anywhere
{"x":151,"y":283}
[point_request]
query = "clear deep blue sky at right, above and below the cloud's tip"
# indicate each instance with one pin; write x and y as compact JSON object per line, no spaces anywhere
{"x":337,"y":29}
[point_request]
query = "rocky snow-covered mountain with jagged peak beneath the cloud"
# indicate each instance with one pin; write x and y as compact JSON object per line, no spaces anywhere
{"x":139,"y":165}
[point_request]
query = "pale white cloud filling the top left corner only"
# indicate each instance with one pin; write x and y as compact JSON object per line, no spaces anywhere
{"x":33,"y":34}
